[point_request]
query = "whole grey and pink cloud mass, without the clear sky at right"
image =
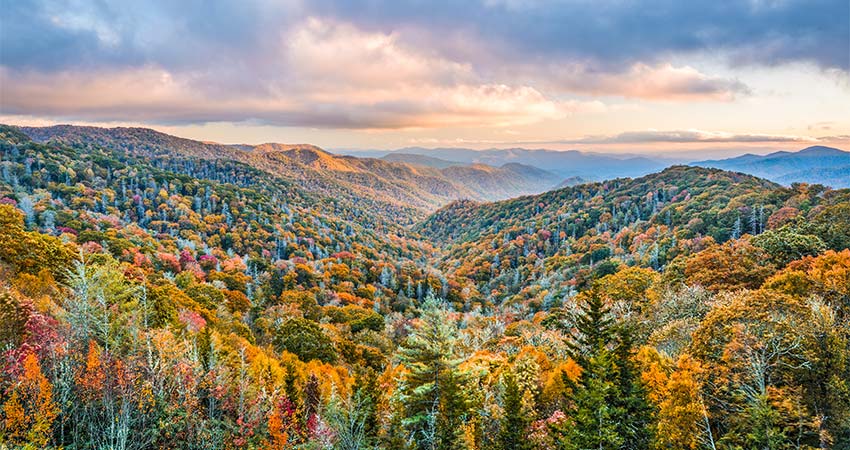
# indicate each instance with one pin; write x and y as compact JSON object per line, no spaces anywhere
{"x":391,"y":63}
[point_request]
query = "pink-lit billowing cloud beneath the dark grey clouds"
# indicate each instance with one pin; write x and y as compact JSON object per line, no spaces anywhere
{"x":324,"y":75}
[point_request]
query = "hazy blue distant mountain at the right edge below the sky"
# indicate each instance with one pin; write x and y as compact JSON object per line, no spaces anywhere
{"x":815,"y":165}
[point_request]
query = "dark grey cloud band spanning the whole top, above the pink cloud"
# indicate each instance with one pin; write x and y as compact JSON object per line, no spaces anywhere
{"x":604,"y":34}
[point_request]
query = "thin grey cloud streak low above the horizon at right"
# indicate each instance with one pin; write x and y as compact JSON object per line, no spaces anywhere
{"x":685,"y":136}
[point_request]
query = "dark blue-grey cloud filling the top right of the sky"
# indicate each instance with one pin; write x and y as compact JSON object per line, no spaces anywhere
{"x":613,"y":34}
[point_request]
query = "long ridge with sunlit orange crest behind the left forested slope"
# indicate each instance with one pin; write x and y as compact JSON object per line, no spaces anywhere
{"x":399,"y":188}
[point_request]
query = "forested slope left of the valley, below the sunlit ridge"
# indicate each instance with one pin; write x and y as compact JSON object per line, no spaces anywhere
{"x":171,"y":202}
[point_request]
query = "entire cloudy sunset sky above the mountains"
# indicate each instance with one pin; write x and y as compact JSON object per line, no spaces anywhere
{"x":623,"y":76}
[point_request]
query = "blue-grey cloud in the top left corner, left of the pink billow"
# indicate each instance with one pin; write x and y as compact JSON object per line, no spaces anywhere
{"x":52,"y":35}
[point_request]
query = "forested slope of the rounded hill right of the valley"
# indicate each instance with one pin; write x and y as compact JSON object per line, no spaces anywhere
{"x":543,"y":242}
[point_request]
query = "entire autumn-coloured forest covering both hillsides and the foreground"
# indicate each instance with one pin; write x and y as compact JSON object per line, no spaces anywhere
{"x":160,"y":293}
